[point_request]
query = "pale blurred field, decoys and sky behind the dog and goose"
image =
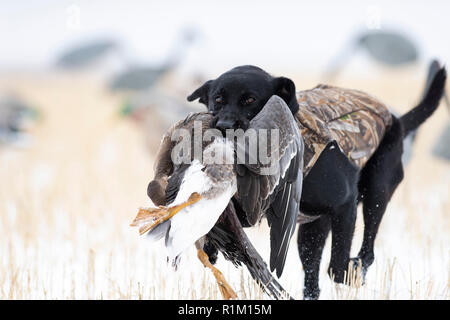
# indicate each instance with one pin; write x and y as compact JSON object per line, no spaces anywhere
{"x":87,"y":88}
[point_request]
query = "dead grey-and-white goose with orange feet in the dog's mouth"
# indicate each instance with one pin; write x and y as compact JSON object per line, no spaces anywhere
{"x":197,"y":199}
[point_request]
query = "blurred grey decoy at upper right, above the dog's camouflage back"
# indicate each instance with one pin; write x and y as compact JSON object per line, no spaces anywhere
{"x":387,"y":47}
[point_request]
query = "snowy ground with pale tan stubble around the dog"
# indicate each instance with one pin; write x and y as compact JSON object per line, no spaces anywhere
{"x":67,"y":201}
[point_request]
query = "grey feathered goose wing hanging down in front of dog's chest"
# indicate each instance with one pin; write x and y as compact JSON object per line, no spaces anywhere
{"x":272,"y":184}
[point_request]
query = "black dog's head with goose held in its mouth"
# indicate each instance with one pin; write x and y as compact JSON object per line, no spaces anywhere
{"x":238,"y":95}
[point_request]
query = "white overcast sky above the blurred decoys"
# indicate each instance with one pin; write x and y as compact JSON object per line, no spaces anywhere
{"x":289,"y":36}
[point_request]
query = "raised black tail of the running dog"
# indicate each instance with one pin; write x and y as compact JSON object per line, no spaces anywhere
{"x":429,"y":103}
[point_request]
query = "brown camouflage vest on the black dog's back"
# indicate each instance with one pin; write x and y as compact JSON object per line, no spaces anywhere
{"x":354,"y":119}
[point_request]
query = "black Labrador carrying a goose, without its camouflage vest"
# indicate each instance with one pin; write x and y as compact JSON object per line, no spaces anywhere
{"x":334,"y":187}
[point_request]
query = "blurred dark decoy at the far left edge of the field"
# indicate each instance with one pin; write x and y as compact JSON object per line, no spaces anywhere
{"x":15,"y":117}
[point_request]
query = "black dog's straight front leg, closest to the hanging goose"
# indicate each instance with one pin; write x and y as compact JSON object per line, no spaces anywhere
{"x":311,"y":240}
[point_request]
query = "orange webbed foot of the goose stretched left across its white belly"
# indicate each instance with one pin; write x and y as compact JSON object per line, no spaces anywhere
{"x":148,"y":218}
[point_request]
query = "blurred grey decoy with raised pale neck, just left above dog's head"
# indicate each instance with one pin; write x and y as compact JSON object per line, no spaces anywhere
{"x":144,"y":77}
